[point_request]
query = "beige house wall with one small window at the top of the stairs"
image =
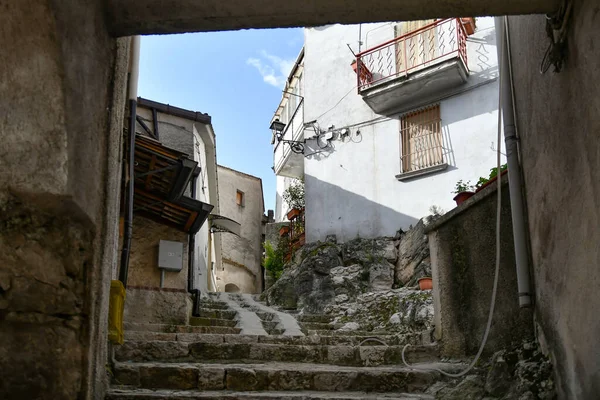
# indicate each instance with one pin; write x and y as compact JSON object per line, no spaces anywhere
{"x":241,"y":256}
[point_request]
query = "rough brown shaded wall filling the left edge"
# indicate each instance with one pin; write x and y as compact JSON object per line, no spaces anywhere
{"x":62,"y":93}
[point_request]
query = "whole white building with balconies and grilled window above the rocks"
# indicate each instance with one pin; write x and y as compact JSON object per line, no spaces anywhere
{"x":385,"y":143}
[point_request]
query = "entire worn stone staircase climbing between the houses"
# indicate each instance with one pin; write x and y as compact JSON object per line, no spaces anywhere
{"x":212,"y":359}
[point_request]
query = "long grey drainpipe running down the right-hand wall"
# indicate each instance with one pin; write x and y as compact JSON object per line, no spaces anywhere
{"x":515,"y":183}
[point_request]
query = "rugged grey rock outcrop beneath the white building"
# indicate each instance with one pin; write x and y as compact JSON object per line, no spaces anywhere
{"x":328,"y":273}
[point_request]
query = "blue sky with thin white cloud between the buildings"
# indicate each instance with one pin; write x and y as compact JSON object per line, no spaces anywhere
{"x":236,"y":77}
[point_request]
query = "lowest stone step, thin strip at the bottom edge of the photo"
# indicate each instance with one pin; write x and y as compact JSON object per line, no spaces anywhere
{"x":145,"y":394}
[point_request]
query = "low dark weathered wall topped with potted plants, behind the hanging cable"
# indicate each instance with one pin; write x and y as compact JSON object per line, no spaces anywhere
{"x":462,"y":244}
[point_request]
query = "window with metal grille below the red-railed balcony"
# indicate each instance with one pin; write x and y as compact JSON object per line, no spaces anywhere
{"x":421,"y":139}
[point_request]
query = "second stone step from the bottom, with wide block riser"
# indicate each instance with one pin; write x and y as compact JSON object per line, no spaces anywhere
{"x":277,"y":377}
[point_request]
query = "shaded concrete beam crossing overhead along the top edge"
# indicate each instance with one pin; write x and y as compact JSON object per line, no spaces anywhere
{"x":129,"y":17}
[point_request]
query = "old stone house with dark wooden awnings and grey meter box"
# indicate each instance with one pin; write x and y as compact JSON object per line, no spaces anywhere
{"x":171,"y":214}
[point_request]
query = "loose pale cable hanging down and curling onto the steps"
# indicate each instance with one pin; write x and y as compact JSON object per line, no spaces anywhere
{"x":498,"y":220}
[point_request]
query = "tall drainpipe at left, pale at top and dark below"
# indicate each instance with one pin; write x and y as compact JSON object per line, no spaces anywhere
{"x":133,"y":85}
